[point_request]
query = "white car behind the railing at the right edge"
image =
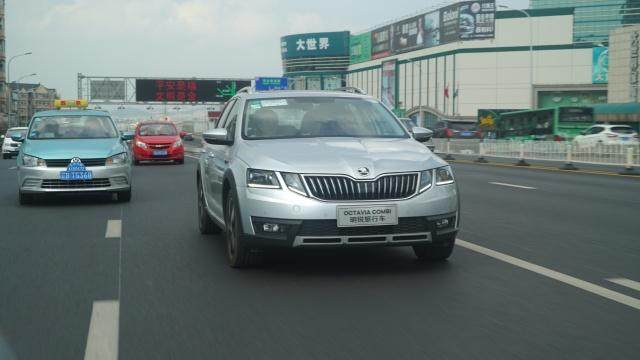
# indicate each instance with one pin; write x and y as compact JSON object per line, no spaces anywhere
{"x":604,"y":134}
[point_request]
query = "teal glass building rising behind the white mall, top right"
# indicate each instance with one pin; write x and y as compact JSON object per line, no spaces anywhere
{"x":594,"y":19}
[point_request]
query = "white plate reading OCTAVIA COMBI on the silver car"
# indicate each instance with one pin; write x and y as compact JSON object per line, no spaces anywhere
{"x":368,"y":215}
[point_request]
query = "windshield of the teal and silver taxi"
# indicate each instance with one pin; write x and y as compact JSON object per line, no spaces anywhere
{"x":72,"y":127}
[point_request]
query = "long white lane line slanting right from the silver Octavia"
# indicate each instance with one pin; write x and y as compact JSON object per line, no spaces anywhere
{"x":569,"y":280}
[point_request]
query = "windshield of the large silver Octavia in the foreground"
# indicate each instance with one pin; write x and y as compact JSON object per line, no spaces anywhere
{"x":307,"y":117}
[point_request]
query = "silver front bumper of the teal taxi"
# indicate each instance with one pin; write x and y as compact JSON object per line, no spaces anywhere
{"x":47,"y":180}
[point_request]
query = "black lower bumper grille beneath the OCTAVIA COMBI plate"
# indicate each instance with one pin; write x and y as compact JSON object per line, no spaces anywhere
{"x":408,"y":225}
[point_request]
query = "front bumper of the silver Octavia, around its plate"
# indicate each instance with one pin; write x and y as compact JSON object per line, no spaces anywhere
{"x":312,"y":223}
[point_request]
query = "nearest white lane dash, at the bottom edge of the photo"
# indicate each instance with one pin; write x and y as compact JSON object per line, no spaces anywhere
{"x":102,"y":340}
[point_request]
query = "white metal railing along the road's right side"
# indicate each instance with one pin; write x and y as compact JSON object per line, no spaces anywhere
{"x":627,"y":155}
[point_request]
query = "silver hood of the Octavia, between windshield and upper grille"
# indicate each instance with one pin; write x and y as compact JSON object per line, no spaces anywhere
{"x":338,"y":155}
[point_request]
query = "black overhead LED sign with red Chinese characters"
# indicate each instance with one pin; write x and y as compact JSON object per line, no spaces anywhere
{"x":187,"y":90}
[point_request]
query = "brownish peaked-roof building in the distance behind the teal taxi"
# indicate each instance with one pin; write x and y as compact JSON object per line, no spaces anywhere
{"x":31,"y":98}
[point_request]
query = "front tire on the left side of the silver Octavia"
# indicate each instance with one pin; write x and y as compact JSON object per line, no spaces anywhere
{"x":238,"y":255}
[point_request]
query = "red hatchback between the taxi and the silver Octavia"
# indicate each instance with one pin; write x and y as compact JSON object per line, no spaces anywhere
{"x":157,"y":141}
